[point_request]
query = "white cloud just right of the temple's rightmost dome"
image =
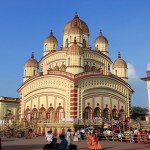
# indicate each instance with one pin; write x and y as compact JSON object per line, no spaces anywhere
{"x":132,"y":71}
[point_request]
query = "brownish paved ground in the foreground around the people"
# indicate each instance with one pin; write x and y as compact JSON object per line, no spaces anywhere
{"x":38,"y":143}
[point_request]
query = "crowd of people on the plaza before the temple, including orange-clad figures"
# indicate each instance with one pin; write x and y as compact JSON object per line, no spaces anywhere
{"x":67,"y":141}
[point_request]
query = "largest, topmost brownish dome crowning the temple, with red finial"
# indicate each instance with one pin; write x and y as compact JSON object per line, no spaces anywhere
{"x":80,"y":23}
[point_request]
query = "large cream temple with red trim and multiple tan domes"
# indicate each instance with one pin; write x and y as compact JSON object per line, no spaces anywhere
{"x":74,"y":82}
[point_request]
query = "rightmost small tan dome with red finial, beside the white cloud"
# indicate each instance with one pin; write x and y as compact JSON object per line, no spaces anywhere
{"x":119,"y":63}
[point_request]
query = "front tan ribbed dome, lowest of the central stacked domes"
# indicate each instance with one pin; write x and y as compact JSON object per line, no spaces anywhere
{"x":75,"y":49}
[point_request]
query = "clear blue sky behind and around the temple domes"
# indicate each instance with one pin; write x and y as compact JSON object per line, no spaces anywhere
{"x":24,"y":24}
